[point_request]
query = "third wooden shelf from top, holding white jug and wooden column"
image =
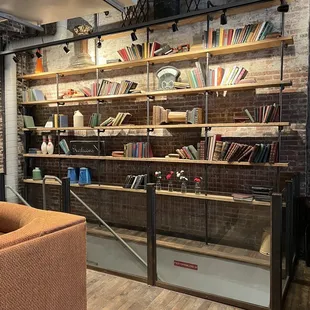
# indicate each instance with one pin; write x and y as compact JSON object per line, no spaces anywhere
{"x":175,"y":126}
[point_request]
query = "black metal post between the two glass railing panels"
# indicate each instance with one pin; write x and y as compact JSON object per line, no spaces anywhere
{"x":151,"y":234}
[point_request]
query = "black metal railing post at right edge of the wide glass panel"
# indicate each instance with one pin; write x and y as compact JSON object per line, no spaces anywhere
{"x":276,"y":253}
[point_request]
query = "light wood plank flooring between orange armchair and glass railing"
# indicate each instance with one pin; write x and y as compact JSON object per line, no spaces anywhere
{"x":108,"y":292}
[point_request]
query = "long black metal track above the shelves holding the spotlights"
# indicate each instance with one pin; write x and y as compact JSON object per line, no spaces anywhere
{"x":139,"y":26}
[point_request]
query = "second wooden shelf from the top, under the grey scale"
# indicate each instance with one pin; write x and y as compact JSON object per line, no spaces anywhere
{"x":174,"y":92}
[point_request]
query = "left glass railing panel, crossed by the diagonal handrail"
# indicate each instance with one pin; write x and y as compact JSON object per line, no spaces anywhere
{"x":126,"y":214}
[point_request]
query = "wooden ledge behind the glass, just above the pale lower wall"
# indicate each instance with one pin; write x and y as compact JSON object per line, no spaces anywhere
{"x":197,"y":247}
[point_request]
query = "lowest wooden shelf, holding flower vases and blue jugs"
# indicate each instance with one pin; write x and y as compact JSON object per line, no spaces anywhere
{"x":161,"y":193}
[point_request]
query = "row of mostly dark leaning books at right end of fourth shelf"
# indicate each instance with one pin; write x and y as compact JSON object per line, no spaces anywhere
{"x":219,"y":150}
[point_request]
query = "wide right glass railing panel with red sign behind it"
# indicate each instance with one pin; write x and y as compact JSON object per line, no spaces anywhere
{"x":234,"y":262}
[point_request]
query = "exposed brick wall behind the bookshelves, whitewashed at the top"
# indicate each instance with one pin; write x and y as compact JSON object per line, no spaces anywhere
{"x":231,"y":224}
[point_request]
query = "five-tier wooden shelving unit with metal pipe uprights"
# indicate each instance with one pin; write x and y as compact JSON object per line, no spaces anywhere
{"x":149,"y":96}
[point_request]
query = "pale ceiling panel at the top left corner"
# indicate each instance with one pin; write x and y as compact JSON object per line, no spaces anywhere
{"x":49,"y":11}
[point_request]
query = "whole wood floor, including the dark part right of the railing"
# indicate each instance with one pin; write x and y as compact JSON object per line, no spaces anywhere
{"x":107,"y":292}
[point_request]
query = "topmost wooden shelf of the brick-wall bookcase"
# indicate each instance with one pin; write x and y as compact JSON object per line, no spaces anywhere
{"x":231,"y":49}
